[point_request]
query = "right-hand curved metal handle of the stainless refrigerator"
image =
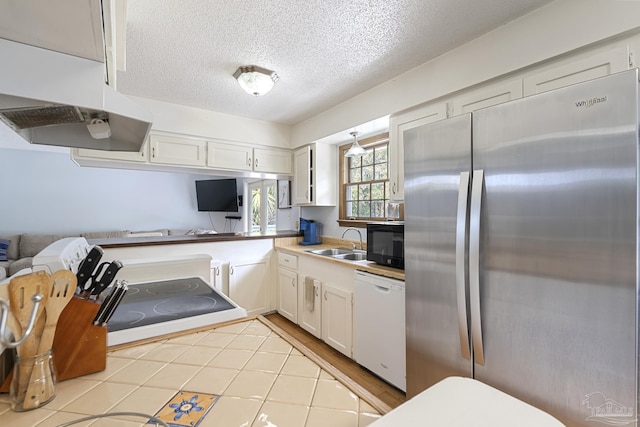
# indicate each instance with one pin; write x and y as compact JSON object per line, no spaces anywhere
{"x":474,"y":265}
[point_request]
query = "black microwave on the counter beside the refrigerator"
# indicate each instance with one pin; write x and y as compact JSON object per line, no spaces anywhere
{"x":385,"y":243}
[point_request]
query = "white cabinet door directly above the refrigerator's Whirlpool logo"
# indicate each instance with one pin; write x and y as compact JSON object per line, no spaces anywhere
{"x":578,"y":70}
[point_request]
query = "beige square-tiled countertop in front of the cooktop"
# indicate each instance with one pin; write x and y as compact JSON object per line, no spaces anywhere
{"x":262,"y":380}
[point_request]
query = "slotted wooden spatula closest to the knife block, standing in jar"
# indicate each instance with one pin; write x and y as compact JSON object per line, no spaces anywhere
{"x":63,"y":287}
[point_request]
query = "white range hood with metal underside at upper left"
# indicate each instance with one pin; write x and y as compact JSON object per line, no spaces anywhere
{"x":51,"y":98}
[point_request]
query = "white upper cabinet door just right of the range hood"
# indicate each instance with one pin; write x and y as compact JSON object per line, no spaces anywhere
{"x":171,"y":150}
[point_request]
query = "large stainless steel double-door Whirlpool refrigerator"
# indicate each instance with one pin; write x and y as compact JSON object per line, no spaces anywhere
{"x":521,"y":245}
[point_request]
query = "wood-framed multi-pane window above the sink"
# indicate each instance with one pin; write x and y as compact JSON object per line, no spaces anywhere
{"x":364,"y":183}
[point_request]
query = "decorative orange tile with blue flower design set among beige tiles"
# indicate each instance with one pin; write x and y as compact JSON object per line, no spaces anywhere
{"x":187,"y":409}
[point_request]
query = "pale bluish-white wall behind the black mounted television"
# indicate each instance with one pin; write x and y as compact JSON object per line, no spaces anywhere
{"x":46,"y":192}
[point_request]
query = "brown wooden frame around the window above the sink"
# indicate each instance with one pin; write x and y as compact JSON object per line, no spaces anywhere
{"x":343,"y":168}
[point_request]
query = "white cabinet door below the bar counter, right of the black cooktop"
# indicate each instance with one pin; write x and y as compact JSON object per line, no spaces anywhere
{"x":249,"y":285}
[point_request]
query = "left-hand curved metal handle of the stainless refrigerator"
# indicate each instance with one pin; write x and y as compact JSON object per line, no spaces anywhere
{"x":461,"y":271}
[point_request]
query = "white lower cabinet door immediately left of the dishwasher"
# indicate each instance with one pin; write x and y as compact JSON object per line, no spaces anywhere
{"x":337,"y":318}
